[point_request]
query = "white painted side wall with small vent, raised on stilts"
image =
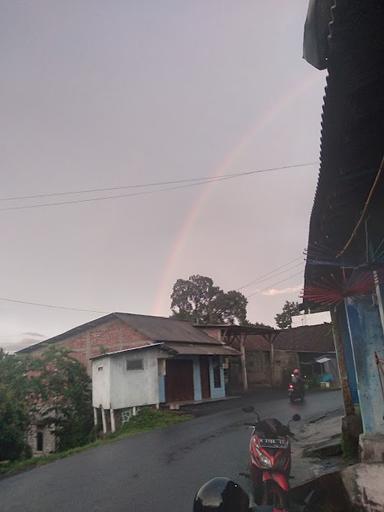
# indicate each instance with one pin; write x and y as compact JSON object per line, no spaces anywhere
{"x":119,"y":388}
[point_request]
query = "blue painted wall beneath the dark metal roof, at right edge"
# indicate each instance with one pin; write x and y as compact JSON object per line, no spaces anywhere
{"x":366,"y":335}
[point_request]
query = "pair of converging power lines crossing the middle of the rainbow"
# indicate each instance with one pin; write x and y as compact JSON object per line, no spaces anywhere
{"x":187,"y":183}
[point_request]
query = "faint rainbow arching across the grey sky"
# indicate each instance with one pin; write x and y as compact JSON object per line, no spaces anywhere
{"x":161,"y":302}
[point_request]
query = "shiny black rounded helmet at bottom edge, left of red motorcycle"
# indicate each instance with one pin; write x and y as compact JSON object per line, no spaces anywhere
{"x":222,"y":495}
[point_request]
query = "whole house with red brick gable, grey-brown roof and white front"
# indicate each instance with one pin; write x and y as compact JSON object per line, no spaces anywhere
{"x":188,"y":364}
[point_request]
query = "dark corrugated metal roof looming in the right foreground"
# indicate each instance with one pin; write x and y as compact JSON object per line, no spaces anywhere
{"x":351,"y":139}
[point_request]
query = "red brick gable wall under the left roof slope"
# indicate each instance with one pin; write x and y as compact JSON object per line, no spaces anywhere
{"x":109,"y":336}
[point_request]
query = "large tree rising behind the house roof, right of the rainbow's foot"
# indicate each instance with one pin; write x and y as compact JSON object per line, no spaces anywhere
{"x":197,"y":299}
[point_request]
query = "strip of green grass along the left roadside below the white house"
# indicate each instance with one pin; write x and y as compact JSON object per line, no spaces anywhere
{"x":145,"y":421}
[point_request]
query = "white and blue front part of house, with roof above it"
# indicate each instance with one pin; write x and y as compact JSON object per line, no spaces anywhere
{"x":161,"y":372}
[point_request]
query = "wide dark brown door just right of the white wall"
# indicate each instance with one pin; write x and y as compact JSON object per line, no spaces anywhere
{"x":179,"y":380}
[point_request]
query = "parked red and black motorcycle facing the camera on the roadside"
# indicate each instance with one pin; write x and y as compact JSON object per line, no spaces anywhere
{"x":270,"y":460}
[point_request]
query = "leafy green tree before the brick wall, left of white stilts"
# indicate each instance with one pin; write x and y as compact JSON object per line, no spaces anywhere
{"x":62,"y":397}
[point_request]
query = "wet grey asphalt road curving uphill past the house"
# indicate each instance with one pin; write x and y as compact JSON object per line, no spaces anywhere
{"x":155,"y":471}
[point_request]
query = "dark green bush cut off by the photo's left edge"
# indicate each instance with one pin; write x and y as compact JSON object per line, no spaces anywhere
{"x":14,"y":418}
